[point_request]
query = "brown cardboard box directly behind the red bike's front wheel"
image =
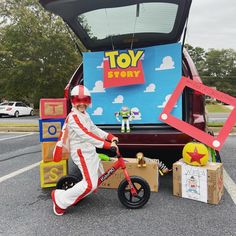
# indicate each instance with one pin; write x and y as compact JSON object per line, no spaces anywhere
{"x":149,"y":173}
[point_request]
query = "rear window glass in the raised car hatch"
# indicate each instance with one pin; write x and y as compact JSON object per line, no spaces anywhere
{"x":141,"y":18}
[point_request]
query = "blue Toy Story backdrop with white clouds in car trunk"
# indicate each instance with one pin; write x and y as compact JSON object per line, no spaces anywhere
{"x":162,"y":70}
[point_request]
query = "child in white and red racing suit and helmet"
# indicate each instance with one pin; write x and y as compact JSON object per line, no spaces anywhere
{"x":82,"y":137}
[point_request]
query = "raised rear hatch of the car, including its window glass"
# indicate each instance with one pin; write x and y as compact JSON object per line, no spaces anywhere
{"x":120,"y":24}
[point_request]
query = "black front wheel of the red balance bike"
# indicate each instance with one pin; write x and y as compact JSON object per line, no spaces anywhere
{"x":143,"y":192}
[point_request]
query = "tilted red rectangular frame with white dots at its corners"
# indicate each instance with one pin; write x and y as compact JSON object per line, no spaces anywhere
{"x":214,"y":142}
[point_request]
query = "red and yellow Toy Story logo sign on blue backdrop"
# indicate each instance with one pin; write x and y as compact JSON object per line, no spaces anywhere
{"x":123,"y":68}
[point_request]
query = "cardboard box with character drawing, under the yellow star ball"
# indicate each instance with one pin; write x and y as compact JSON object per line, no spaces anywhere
{"x":203,"y":184}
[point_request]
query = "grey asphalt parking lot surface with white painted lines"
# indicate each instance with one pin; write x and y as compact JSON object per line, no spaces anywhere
{"x":26,"y":209}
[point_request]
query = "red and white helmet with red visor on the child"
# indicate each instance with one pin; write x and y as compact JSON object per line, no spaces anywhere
{"x":80,"y":95}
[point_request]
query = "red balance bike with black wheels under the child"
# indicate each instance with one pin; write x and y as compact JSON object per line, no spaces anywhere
{"x":133,"y":191}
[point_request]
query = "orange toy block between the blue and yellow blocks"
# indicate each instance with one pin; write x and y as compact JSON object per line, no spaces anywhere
{"x":47,"y":152}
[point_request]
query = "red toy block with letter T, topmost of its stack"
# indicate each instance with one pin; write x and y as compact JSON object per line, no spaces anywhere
{"x":51,"y":108}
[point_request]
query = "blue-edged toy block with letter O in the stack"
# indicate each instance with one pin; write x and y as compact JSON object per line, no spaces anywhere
{"x":50,"y":129}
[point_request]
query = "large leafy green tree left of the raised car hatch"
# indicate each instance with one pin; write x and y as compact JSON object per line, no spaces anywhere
{"x":37,"y":56}
